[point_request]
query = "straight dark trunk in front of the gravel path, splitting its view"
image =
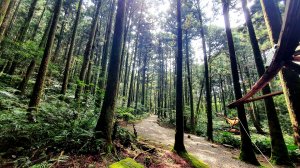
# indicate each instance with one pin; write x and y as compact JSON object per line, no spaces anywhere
{"x":179,"y":138}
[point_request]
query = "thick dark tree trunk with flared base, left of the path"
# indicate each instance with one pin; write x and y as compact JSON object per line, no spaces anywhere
{"x":105,"y":123}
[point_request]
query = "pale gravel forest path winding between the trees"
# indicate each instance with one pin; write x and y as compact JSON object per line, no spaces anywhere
{"x":216,"y":156}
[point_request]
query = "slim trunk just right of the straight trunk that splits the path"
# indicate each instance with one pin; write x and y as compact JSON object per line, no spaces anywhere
{"x":187,"y":59}
